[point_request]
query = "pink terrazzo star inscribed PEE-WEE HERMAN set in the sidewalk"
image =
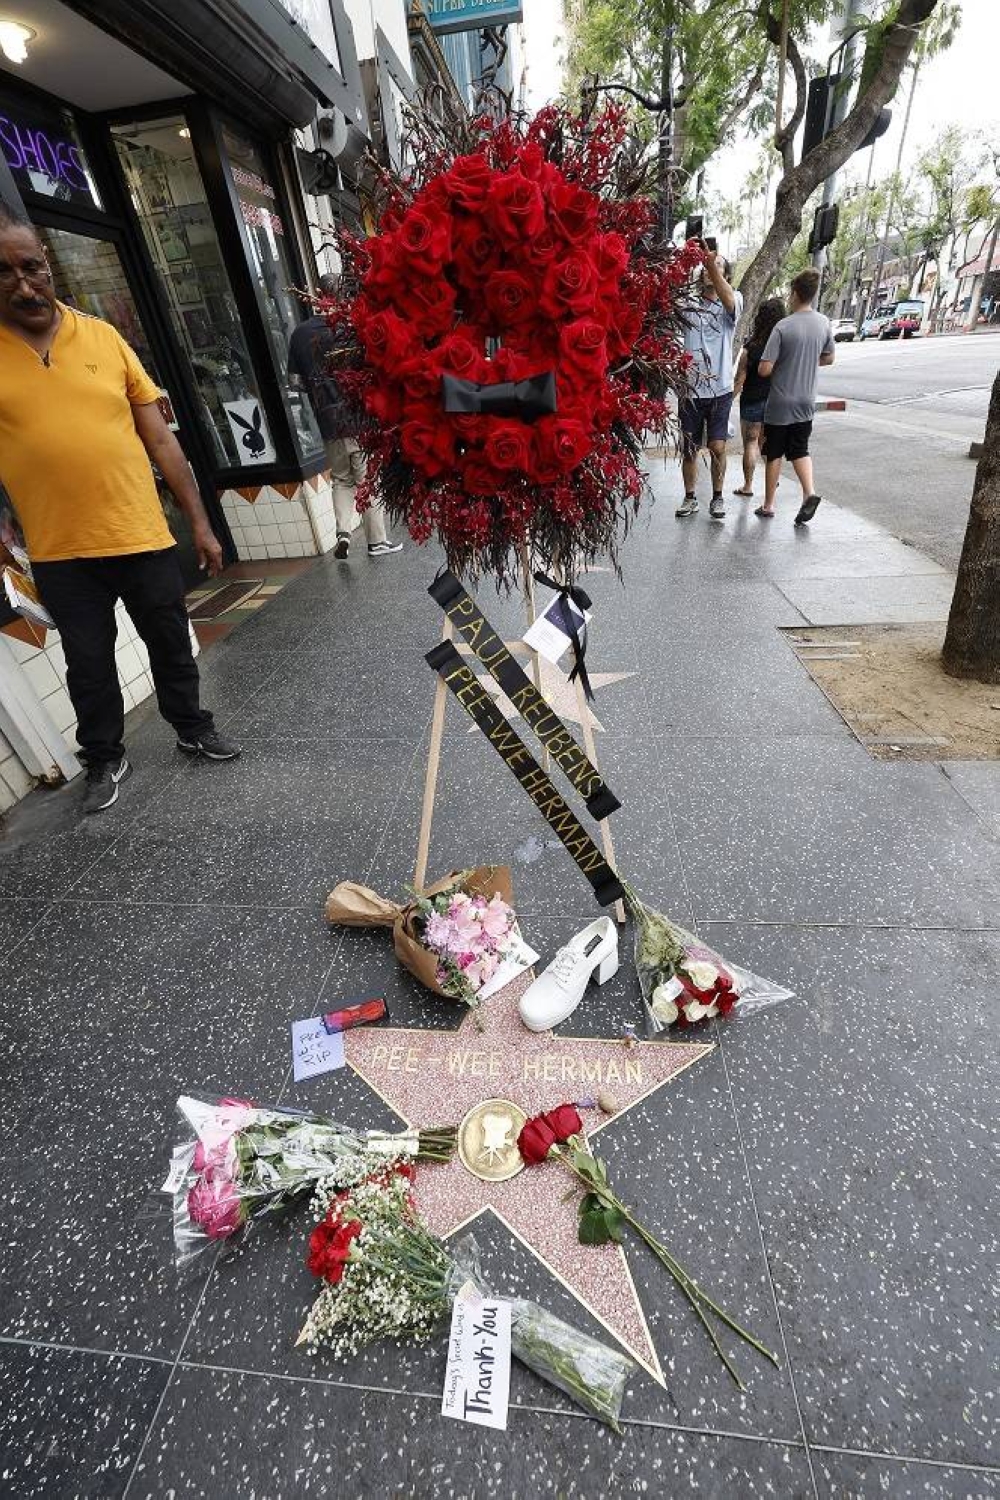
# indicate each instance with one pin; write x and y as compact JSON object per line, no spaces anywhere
{"x":433,"y":1076}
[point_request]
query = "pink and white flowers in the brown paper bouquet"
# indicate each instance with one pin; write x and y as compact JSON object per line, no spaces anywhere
{"x":472,"y":937}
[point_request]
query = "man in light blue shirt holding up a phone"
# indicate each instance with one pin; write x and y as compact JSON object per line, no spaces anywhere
{"x":711,"y":325}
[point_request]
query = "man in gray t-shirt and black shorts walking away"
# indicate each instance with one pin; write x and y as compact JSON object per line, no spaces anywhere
{"x":792,"y":358}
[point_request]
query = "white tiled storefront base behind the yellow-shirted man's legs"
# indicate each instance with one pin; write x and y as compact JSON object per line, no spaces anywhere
{"x":44,"y":668}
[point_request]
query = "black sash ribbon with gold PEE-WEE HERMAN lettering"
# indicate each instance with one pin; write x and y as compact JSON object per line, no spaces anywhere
{"x":485,"y":713}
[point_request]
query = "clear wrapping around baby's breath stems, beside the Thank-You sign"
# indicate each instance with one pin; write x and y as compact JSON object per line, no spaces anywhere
{"x":585,"y":1370}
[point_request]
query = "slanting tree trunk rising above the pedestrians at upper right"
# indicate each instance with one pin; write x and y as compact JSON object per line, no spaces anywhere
{"x":833,"y":152}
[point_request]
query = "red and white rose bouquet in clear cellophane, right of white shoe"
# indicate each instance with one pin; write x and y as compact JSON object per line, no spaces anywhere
{"x":684,"y":982}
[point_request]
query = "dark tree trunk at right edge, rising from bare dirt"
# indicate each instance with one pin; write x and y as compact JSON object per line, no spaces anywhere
{"x":972,"y":646}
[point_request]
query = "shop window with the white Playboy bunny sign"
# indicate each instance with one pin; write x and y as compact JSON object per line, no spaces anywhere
{"x":170,"y":202}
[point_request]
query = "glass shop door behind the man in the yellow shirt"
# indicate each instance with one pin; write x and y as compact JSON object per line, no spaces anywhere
{"x":88,"y":274}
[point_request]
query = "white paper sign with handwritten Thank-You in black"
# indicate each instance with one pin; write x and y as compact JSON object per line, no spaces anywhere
{"x":478,"y":1378}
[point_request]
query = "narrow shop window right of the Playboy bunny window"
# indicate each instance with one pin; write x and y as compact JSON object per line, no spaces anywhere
{"x":272,"y":265}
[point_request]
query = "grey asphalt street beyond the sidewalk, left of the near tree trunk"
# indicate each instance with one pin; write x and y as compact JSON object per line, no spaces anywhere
{"x":900,"y":452}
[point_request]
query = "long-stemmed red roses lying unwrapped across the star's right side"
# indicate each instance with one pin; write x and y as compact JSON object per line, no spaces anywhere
{"x":558,"y":1136}
